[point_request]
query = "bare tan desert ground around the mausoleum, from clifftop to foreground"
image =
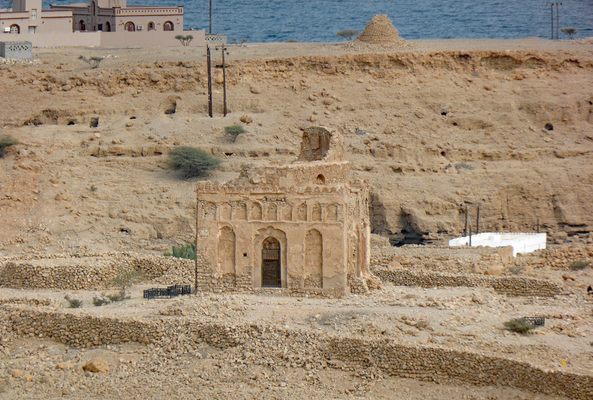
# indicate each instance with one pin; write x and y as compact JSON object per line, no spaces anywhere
{"x":432,"y":125}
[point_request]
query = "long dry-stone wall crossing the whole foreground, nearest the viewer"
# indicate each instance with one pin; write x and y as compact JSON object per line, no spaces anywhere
{"x":299,"y":348}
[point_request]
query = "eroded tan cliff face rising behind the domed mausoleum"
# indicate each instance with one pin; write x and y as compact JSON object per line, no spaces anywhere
{"x":432,"y":132}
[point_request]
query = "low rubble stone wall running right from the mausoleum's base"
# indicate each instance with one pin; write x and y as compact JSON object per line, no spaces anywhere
{"x":509,"y":285}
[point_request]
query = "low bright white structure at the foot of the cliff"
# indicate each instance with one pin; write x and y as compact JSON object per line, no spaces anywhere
{"x":521,"y":242}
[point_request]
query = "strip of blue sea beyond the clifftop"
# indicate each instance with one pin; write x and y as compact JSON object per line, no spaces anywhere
{"x":319,"y":20}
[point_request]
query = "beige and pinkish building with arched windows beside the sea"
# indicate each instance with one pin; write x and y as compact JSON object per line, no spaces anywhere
{"x":98,"y":23}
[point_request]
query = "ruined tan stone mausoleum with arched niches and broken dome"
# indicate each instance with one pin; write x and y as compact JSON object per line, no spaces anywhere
{"x":303,"y":226}
